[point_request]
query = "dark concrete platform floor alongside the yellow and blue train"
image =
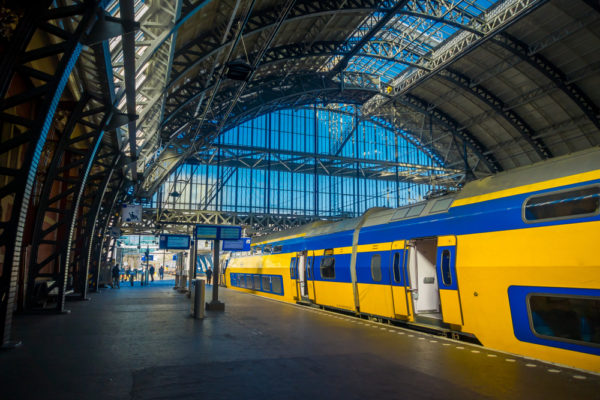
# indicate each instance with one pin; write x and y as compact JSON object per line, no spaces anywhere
{"x":140,"y":343}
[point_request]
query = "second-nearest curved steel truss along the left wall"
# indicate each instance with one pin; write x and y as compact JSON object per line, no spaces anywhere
{"x":61,"y":196}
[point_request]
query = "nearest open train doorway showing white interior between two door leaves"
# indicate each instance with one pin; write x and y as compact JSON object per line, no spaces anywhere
{"x":422,"y":273}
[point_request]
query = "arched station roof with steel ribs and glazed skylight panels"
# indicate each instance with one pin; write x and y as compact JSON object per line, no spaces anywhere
{"x":487,"y":85}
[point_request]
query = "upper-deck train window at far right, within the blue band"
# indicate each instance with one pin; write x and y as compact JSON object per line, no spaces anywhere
{"x":564,"y":204}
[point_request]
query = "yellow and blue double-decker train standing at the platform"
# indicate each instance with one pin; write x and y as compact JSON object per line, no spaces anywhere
{"x":512,"y":260}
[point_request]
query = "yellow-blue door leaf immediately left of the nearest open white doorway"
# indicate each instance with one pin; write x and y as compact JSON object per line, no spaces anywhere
{"x":398,"y":280}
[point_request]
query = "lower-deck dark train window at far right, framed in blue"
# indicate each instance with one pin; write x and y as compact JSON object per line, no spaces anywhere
{"x":566,"y":318}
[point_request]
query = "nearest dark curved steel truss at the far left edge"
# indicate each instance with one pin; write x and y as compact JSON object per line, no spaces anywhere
{"x":33,"y":80}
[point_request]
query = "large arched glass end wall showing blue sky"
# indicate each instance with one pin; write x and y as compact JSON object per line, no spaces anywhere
{"x":306,"y":161}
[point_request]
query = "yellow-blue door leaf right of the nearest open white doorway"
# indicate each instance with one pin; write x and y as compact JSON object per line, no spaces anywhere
{"x":447,"y":282}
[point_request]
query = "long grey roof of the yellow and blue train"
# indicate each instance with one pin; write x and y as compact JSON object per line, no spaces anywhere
{"x":559,"y":167}
